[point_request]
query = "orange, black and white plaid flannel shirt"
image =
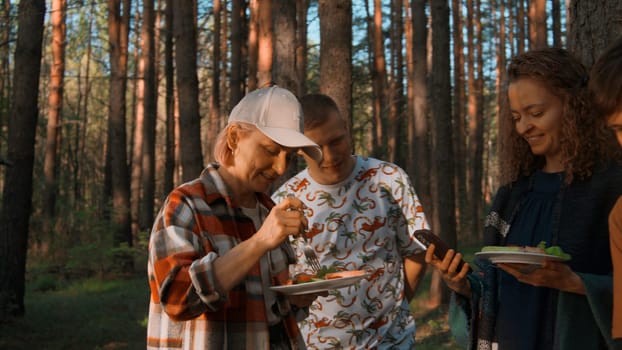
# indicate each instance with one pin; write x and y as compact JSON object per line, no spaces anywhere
{"x":197,"y":223}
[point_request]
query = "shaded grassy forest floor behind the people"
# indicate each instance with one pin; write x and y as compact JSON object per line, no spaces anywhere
{"x":112,"y":314}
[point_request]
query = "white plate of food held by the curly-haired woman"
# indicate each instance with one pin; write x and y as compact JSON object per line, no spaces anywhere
{"x":519,"y":255}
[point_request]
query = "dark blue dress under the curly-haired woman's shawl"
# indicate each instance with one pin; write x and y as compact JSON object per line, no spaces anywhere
{"x":521,"y":323}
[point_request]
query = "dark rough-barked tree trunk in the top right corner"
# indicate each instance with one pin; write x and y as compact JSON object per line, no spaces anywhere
{"x":592,"y":26}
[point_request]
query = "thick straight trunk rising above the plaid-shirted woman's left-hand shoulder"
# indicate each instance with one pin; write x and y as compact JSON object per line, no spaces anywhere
{"x":185,"y":31}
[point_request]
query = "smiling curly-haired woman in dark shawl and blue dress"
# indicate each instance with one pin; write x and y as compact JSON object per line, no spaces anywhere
{"x":562,"y":177}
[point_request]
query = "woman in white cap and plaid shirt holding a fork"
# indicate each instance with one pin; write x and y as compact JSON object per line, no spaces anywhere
{"x":219,"y":242}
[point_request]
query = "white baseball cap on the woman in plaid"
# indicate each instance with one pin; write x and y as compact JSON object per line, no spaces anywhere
{"x":277,"y":113}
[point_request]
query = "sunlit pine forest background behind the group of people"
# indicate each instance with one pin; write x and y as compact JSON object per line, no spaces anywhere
{"x":105,"y":106}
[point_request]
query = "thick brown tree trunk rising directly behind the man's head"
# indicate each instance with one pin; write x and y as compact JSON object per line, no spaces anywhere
{"x":336,"y":53}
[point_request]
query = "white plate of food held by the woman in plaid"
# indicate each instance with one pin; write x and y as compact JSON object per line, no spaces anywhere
{"x":335,"y":280}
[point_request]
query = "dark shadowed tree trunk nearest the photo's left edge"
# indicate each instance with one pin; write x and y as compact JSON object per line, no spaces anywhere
{"x":17,"y":193}
